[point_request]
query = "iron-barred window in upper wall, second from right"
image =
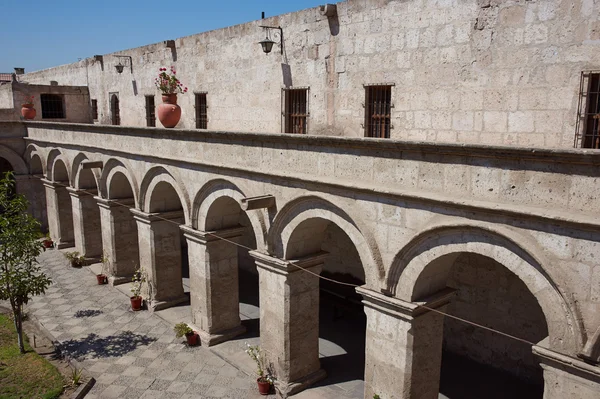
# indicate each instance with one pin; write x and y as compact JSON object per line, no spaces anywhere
{"x":378,"y":105}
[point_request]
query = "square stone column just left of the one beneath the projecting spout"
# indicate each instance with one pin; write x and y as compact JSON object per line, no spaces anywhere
{"x":214,"y":291}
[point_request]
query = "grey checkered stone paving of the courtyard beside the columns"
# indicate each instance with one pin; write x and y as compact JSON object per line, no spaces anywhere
{"x":130,"y":354}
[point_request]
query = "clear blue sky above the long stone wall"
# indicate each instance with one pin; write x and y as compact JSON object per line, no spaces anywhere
{"x":39,"y":34}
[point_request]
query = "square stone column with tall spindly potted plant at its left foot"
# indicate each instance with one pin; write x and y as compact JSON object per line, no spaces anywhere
{"x":160,"y":256}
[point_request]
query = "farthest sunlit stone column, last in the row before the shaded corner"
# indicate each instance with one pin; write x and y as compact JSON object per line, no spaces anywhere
{"x":60,"y":213}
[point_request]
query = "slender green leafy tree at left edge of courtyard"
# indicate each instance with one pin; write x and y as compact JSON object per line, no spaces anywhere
{"x":20,"y":275}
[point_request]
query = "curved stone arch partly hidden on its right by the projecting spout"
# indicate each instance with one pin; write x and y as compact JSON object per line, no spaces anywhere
{"x":213,"y":191}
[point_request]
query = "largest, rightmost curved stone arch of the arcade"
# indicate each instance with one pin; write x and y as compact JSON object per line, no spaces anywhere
{"x":417,"y":272}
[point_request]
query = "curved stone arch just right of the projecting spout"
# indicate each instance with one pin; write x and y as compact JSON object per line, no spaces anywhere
{"x":312,"y":207}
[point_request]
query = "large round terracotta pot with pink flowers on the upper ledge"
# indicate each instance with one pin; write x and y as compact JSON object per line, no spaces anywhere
{"x":169,"y":112}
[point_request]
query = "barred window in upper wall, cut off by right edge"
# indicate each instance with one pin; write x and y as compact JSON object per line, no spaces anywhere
{"x":587,"y":133}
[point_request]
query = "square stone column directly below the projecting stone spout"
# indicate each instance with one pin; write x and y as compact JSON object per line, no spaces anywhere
{"x":289,"y":319}
